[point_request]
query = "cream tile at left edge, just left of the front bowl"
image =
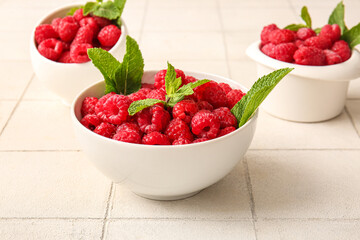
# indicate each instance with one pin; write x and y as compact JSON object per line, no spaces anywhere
{"x":38,"y":125}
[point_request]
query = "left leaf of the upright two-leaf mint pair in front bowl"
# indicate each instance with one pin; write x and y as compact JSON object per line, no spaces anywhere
{"x":107,"y":65}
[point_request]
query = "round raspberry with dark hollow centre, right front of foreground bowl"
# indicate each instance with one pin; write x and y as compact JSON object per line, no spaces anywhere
{"x":205,"y":124}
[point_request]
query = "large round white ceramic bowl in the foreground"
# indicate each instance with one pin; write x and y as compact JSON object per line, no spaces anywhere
{"x":163,"y":172}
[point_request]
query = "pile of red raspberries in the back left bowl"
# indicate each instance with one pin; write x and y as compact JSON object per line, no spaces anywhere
{"x":67,"y":39}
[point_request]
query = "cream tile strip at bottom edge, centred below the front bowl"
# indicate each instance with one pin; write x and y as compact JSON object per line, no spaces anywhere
{"x":179,"y":229}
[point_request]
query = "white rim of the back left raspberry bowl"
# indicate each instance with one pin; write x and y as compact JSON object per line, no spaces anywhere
{"x":33,"y":47}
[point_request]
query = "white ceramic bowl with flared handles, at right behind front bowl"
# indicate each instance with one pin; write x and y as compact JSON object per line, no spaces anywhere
{"x":308,"y":93}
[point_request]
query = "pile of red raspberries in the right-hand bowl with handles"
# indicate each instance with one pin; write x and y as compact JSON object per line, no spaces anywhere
{"x":304,"y":46}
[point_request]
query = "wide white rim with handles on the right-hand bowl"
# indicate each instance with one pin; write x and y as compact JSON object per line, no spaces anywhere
{"x":345,"y":71}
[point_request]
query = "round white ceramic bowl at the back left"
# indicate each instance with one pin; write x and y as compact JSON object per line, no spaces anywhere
{"x":66,"y":80}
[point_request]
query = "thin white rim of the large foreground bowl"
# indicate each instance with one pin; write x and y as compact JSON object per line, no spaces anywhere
{"x":77,"y":123}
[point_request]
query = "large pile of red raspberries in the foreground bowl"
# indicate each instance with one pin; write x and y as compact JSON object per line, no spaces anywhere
{"x":200,"y":117}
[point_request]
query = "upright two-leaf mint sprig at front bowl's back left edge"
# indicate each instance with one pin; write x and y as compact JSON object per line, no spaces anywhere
{"x":122,"y":78}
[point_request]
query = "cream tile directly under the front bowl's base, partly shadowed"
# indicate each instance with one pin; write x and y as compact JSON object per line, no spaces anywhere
{"x":227,"y":199}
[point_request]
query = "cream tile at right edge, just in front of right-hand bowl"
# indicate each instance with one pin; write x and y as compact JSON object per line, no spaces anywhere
{"x":274,"y":133}
